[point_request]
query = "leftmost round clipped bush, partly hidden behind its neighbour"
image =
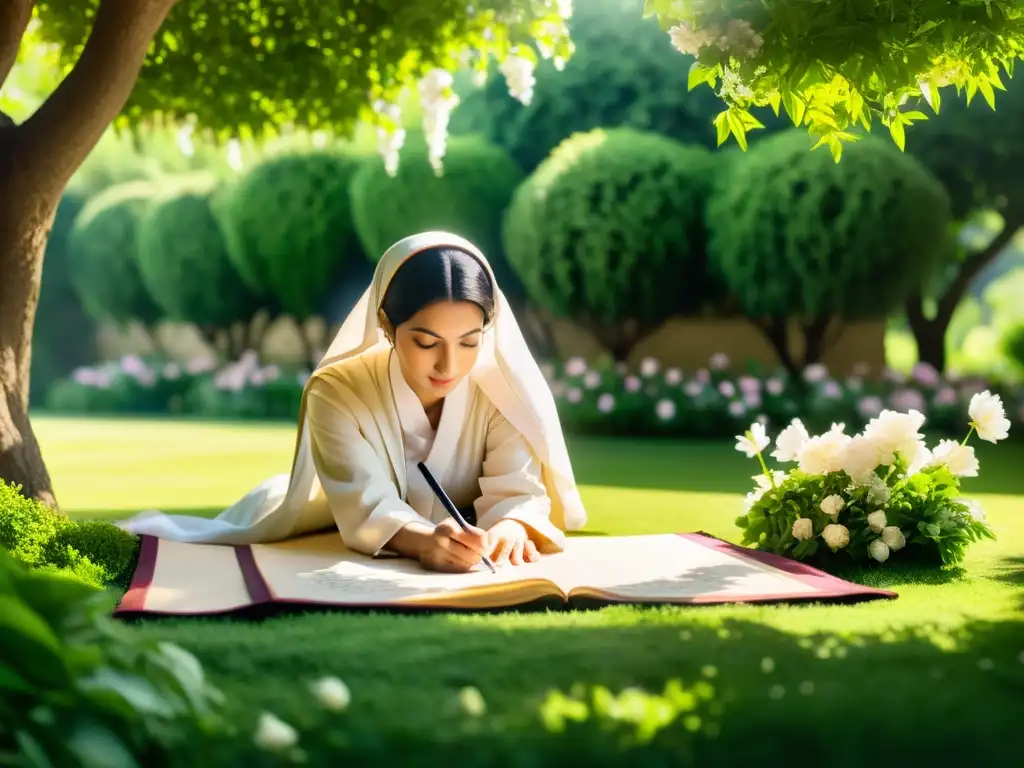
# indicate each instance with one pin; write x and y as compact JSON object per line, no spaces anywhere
{"x":104,"y":251}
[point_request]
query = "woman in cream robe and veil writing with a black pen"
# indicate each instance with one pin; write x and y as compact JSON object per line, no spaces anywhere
{"x":431,"y":366}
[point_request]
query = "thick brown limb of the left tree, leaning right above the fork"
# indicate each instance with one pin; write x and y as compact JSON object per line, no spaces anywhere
{"x":56,"y":141}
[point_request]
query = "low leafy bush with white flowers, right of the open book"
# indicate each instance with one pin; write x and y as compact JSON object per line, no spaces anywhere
{"x":877,"y":495}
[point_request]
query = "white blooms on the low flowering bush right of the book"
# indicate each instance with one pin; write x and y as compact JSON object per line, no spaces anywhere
{"x":890,"y":436}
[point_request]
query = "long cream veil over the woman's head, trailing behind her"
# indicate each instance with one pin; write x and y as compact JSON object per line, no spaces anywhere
{"x":506,"y":373}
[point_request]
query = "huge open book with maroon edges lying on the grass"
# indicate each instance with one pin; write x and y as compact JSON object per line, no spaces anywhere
{"x":689,"y":569}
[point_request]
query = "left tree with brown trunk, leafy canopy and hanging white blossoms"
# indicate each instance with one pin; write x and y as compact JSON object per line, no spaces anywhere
{"x":242,"y":71}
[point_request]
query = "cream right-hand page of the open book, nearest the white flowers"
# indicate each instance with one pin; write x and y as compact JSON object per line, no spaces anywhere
{"x":663,"y":568}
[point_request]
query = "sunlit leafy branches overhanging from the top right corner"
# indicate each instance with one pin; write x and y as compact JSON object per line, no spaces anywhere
{"x":839,"y":67}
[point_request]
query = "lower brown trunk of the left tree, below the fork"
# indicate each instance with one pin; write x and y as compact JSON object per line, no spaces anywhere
{"x":23,"y":241}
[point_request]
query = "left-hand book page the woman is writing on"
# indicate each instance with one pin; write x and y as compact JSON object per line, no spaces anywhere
{"x":321,"y":570}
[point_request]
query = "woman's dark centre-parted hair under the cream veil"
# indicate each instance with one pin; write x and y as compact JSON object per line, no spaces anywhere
{"x":438,"y":275}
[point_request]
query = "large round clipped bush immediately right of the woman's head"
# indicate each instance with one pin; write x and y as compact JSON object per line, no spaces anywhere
{"x":610,"y":231}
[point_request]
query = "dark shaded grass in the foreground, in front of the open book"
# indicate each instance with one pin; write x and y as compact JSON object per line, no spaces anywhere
{"x":705,"y":693}
